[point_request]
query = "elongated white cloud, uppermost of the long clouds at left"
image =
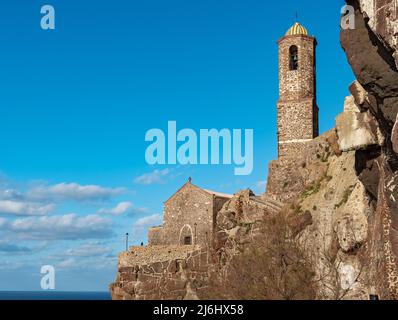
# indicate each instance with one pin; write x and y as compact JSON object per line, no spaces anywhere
{"x":74,"y":191}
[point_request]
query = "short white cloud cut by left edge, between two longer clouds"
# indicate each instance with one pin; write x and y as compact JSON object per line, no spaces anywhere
{"x":24,"y":208}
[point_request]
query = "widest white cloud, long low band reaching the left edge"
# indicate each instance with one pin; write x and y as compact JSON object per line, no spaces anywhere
{"x":64,"y":227}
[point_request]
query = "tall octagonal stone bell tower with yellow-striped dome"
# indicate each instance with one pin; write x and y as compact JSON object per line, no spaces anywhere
{"x":297,"y":107}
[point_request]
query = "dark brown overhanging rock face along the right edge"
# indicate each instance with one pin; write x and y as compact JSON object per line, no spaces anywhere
{"x":371,"y":49}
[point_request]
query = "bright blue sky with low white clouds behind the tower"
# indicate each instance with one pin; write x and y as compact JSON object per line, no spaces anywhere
{"x":76,"y":102}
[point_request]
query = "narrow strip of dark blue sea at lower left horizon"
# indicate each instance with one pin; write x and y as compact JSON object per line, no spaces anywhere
{"x":53,"y":295}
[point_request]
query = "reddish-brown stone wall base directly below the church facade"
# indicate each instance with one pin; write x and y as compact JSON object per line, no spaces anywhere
{"x":161,"y":273}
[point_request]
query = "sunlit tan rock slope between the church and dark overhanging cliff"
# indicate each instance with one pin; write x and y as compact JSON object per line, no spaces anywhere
{"x":330,"y":211}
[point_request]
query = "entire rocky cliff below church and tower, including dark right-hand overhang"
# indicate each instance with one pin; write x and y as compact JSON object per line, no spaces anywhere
{"x":340,"y":195}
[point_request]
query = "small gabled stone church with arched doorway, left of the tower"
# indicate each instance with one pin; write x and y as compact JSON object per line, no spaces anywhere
{"x":189,"y":217}
